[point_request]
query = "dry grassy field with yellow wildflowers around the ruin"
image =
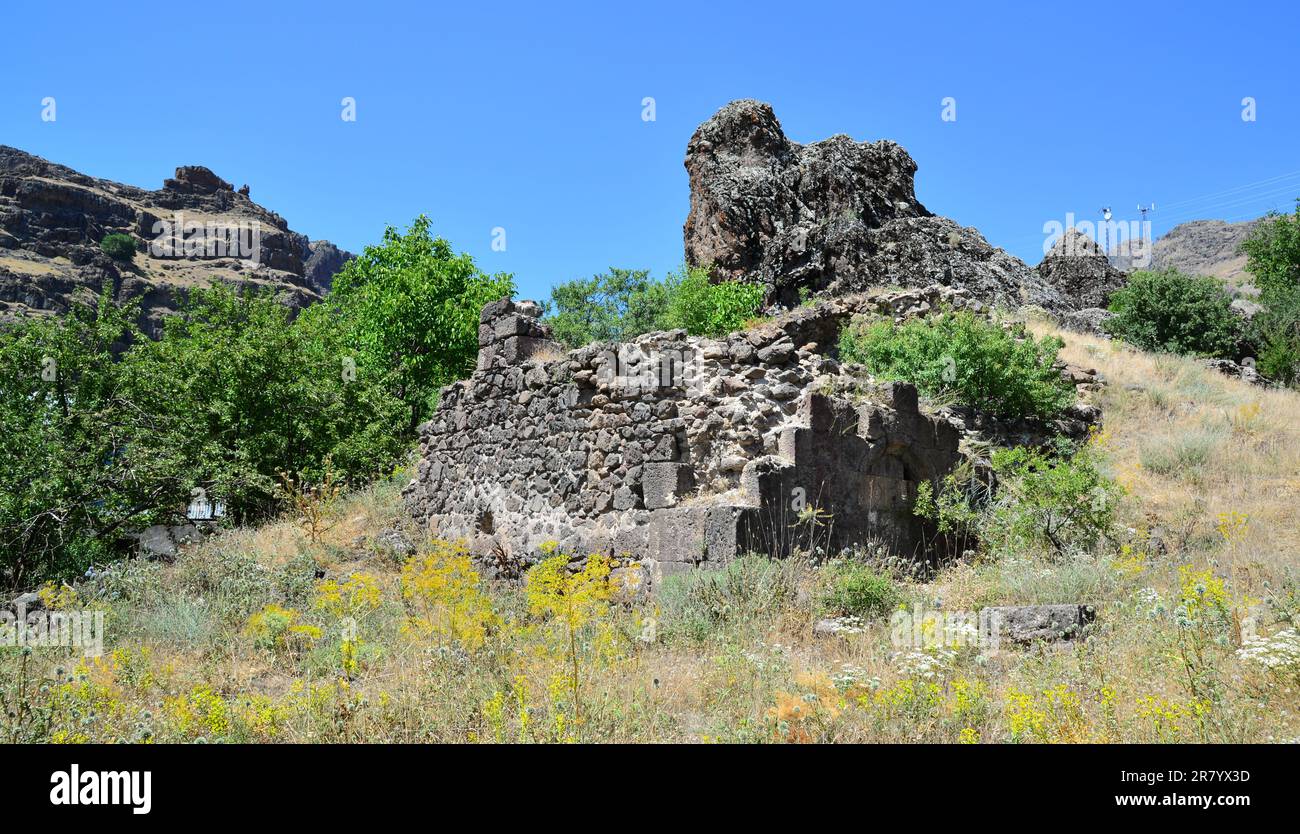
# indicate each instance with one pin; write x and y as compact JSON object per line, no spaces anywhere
{"x":239,"y":641}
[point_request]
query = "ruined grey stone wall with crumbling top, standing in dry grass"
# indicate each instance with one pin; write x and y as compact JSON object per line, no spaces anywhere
{"x":678,"y":449}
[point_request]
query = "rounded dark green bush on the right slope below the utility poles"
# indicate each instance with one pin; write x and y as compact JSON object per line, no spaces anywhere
{"x":1172,"y":312}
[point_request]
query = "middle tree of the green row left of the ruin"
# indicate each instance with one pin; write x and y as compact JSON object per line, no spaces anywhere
{"x":242,"y":393}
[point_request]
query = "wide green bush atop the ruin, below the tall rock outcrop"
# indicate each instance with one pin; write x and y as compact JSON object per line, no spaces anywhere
{"x":964,"y":357}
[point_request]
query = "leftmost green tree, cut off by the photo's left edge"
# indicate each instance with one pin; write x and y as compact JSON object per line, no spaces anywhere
{"x":72,"y":476}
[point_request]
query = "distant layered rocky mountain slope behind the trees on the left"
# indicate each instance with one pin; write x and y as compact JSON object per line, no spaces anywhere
{"x":53,"y":220}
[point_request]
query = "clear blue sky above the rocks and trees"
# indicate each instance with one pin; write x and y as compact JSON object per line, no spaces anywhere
{"x":528,"y":116}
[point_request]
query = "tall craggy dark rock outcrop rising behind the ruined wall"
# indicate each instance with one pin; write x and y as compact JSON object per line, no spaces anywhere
{"x":833,"y":218}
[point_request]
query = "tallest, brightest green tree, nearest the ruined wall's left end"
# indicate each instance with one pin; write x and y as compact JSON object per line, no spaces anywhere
{"x":410,"y":307}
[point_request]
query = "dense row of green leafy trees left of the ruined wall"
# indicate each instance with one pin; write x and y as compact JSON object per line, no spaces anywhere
{"x":111,"y":432}
